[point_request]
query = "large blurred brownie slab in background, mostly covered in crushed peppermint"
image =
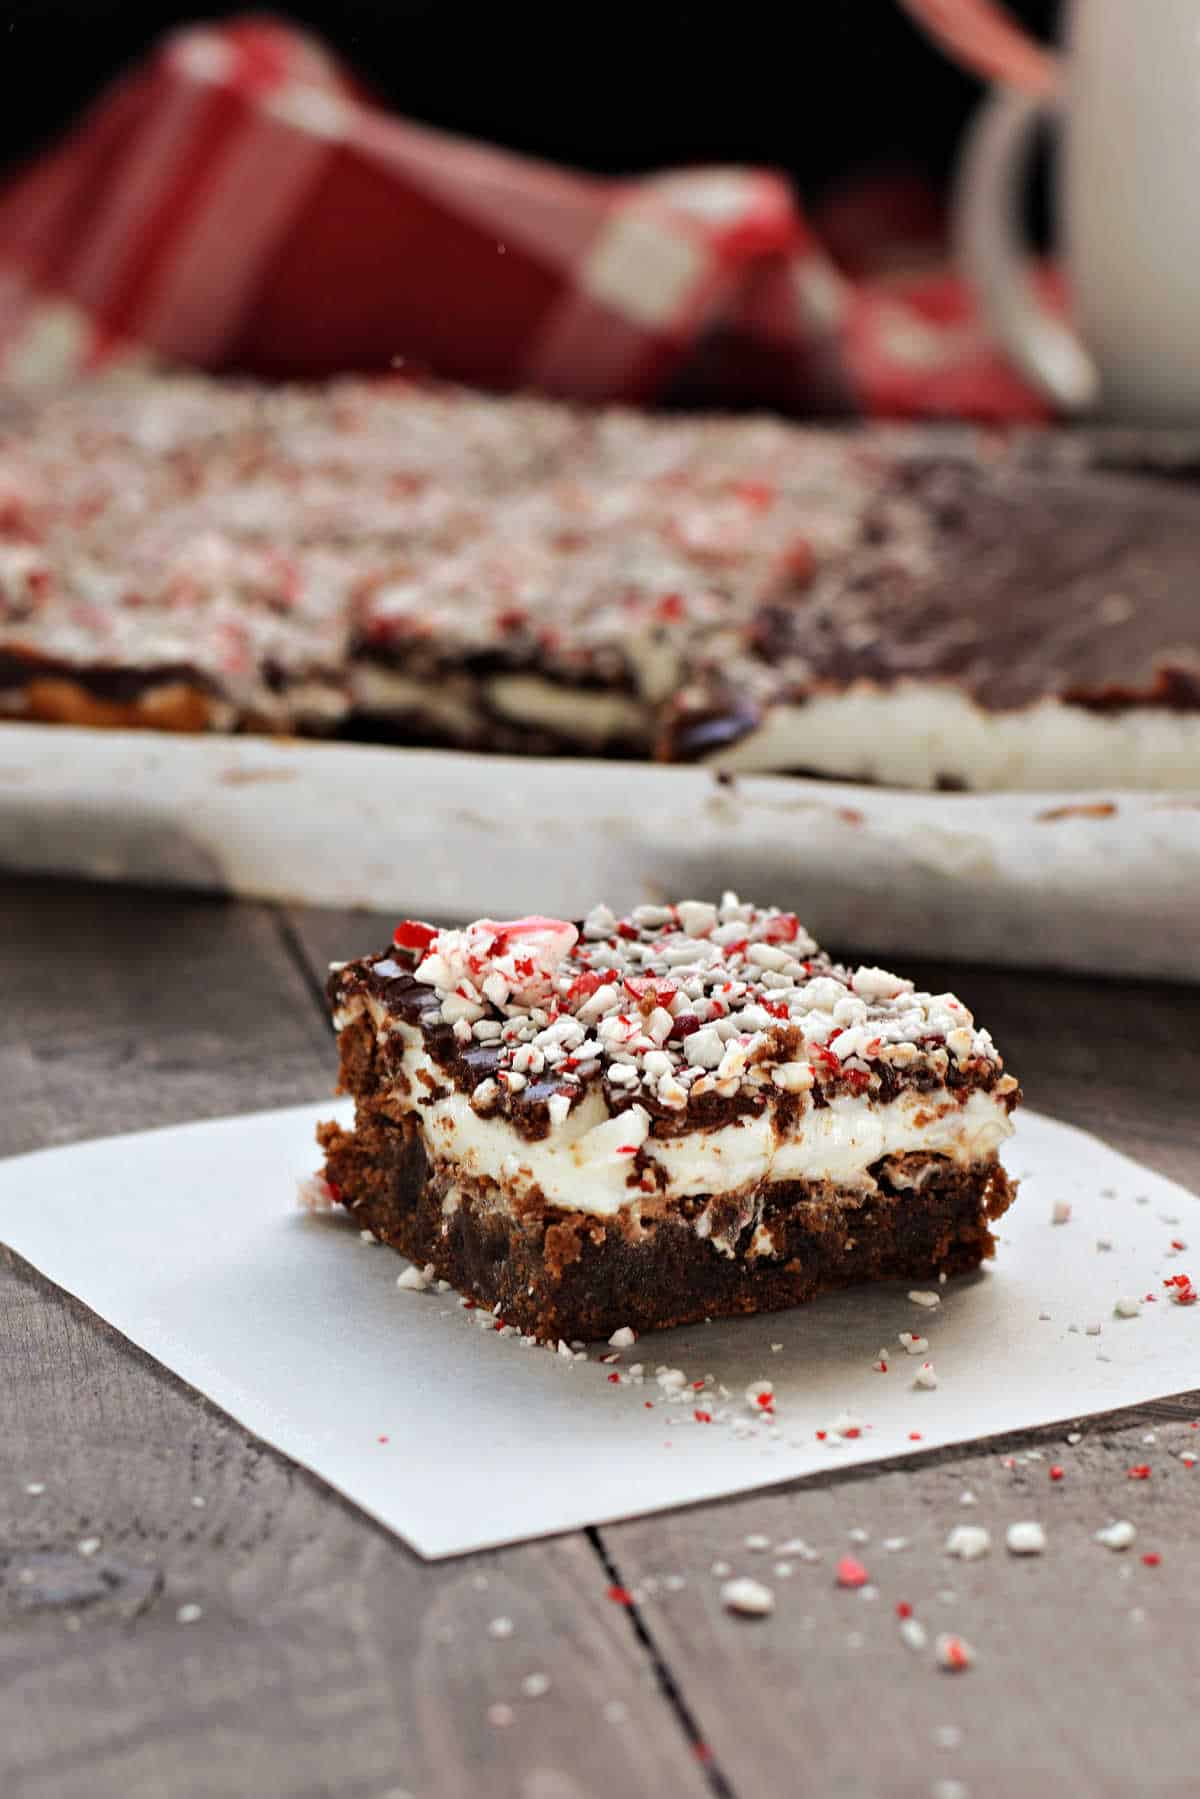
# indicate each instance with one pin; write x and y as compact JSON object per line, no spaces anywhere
{"x":411,"y":564}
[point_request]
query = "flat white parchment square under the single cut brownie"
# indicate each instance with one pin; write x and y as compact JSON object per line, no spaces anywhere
{"x":190,"y":1242}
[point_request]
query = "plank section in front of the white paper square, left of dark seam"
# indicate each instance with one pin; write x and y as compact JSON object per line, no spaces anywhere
{"x":327,"y":1660}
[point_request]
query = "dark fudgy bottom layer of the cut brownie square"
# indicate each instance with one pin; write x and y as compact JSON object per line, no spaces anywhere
{"x":577,"y":1276}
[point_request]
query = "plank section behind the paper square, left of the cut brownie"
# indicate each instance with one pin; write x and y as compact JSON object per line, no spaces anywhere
{"x":127,"y":1010}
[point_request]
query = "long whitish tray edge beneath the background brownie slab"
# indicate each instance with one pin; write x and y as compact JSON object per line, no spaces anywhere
{"x":1091,"y":881}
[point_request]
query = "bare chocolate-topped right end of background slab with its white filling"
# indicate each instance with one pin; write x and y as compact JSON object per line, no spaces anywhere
{"x":996,"y":627}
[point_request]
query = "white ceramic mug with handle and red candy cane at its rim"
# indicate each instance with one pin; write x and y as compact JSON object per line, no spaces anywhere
{"x":1127,"y":93}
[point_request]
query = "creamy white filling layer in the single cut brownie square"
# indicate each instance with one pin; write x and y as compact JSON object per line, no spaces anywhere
{"x":586,"y":1163}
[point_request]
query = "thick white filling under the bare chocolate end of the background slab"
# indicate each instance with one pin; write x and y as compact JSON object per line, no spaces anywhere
{"x":918,"y":733}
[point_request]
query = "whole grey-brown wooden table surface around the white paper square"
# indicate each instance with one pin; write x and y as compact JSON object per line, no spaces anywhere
{"x":328,"y":1660}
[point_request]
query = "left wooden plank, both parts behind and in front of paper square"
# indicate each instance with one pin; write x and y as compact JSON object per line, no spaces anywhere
{"x":327,"y":1658}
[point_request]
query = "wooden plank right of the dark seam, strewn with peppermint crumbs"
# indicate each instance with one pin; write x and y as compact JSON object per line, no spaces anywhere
{"x":1086,"y":1660}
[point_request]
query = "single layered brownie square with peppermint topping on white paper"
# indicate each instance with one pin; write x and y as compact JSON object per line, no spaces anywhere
{"x":681,"y":1114}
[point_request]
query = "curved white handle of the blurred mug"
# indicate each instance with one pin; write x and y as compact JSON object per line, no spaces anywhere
{"x":992,"y":253}
